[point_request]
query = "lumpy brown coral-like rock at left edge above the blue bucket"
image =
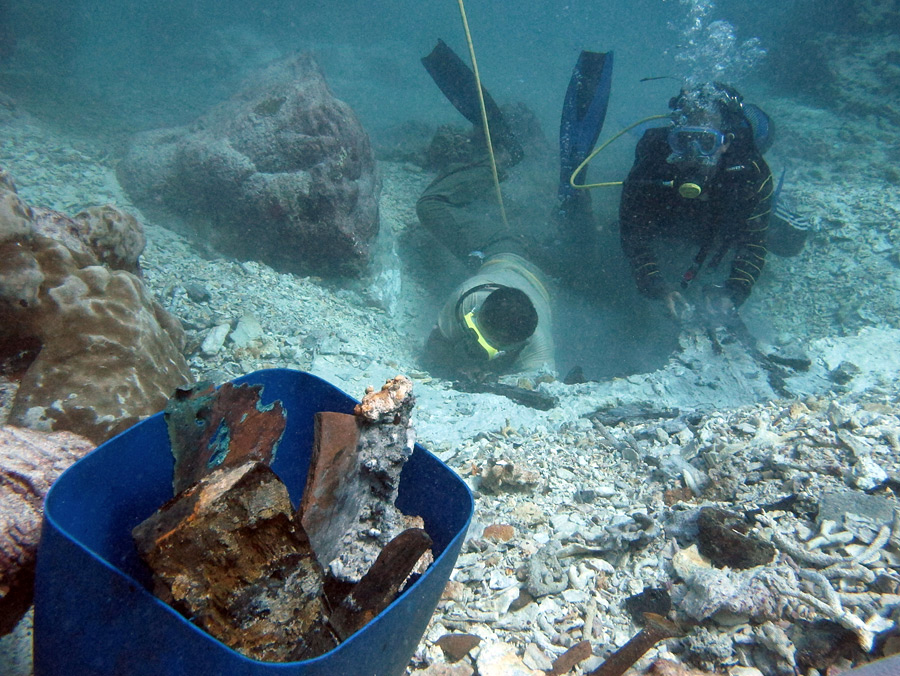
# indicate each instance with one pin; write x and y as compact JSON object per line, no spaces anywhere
{"x":92,"y":351}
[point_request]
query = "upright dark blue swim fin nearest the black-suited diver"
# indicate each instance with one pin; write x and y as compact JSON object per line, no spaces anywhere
{"x":584,"y":111}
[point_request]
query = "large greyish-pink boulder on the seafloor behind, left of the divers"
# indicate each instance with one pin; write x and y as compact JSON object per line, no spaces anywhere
{"x":282,"y":173}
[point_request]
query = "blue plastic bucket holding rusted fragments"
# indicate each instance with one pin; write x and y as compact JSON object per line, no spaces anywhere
{"x":93,"y":614}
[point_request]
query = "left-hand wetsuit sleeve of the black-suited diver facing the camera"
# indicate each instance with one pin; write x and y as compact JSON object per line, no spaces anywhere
{"x":638,"y":221}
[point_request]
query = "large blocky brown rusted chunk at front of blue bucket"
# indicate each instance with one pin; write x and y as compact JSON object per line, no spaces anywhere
{"x":229,"y":555}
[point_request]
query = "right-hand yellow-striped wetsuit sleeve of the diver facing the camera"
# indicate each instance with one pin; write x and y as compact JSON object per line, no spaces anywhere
{"x":751,"y":232}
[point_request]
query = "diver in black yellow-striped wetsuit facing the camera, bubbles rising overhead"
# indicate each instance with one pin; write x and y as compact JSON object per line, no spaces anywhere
{"x":703,"y":180}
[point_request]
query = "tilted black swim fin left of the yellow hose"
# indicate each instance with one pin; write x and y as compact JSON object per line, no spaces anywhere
{"x":457,"y":81}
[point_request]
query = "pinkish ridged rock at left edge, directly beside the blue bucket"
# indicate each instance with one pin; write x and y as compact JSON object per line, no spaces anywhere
{"x":30,"y":461}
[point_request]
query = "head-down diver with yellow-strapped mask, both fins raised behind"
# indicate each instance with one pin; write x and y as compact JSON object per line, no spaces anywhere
{"x":499,"y":320}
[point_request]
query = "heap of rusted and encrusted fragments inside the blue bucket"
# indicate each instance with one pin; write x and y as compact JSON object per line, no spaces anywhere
{"x":230,"y":552}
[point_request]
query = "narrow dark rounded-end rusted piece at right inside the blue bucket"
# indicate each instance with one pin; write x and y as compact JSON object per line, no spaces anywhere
{"x":378,"y":587}
